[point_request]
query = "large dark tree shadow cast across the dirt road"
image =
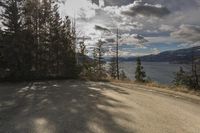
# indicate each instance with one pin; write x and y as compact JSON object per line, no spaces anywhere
{"x":61,"y":107}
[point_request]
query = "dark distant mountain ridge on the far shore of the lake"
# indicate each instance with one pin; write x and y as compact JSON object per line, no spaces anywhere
{"x":176,"y":56}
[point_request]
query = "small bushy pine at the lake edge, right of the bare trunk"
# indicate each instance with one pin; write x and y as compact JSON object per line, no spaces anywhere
{"x":140,"y":74}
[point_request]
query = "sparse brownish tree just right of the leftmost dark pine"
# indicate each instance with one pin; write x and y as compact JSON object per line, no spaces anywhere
{"x":32,"y":24}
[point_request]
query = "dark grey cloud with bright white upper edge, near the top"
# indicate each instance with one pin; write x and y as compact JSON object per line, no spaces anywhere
{"x":139,"y":7}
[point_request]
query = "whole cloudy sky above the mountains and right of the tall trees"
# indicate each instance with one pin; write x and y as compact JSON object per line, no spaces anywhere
{"x":145,"y":26}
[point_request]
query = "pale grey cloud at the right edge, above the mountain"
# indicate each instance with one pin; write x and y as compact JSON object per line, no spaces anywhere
{"x":190,"y":33}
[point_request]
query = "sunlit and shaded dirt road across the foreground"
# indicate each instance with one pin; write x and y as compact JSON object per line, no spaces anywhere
{"x":88,"y":107}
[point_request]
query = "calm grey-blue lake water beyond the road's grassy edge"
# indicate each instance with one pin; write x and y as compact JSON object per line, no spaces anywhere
{"x":160,"y":72}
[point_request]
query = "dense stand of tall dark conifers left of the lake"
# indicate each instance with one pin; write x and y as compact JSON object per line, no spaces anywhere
{"x":37,"y":42}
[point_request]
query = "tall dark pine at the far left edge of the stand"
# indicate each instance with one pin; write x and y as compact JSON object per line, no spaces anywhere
{"x":13,"y":51}
